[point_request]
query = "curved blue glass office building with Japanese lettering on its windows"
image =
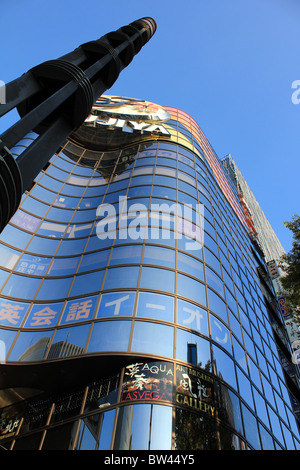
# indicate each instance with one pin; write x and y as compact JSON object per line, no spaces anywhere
{"x":135,"y":311}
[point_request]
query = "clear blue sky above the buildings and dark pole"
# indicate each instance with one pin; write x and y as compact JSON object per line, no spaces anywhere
{"x":229,"y":64}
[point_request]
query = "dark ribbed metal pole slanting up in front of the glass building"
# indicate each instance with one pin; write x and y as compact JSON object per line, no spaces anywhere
{"x":54,"y":98}
